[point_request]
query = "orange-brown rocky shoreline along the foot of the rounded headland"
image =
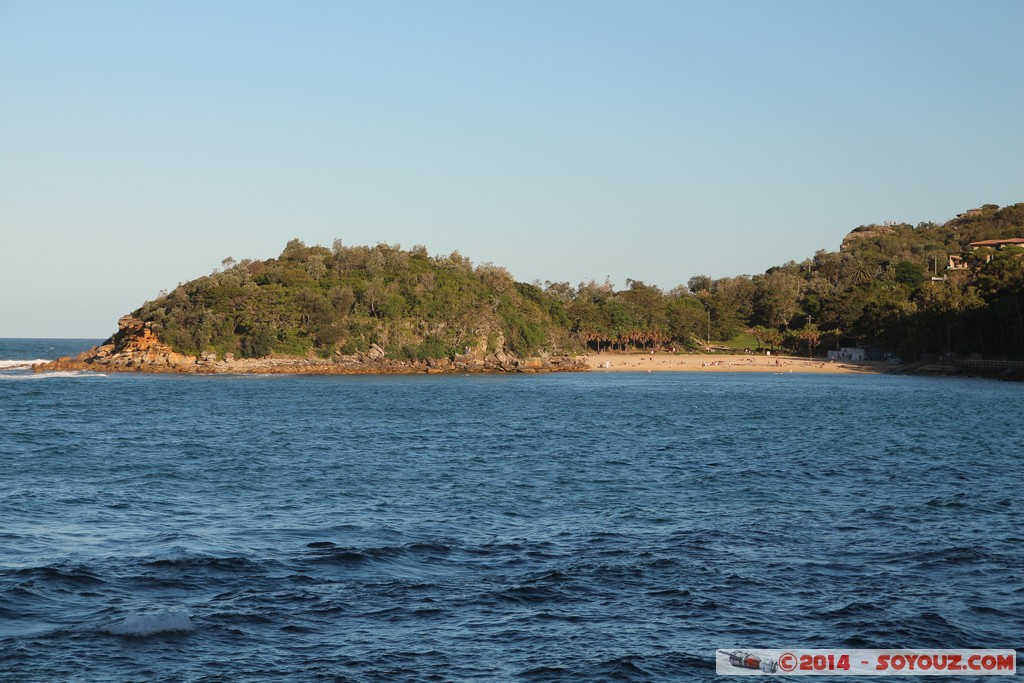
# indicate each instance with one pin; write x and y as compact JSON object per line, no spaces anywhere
{"x":137,"y":348}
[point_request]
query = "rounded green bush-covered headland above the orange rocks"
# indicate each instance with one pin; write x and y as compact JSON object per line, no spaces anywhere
{"x":344,"y":301}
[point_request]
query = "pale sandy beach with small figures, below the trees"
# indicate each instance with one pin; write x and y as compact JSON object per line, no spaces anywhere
{"x":637,"y":363}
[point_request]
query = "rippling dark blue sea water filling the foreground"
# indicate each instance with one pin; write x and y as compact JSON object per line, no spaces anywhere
{"x":569,"y":528}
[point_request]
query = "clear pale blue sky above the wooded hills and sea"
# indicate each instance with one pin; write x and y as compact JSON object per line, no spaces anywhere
{"x":144,"y":143}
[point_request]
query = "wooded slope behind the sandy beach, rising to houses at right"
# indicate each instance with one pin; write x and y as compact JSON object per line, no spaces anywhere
{"x":888,"y":286}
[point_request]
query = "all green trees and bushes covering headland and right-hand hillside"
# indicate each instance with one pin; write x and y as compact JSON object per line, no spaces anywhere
{"x":888,"y":287}
